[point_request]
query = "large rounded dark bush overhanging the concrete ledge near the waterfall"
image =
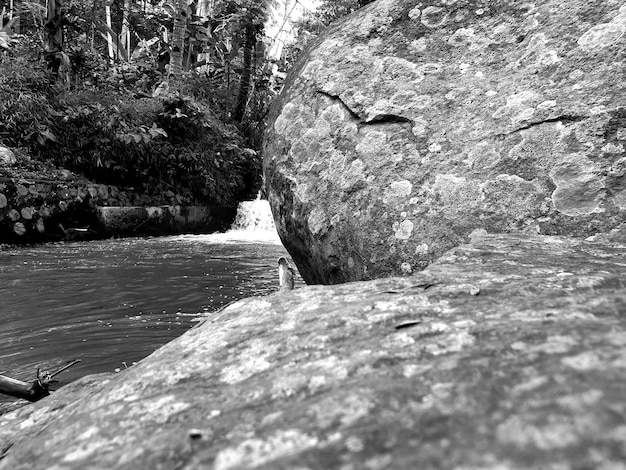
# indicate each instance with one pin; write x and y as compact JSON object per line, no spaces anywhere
{"x":156,"y":144}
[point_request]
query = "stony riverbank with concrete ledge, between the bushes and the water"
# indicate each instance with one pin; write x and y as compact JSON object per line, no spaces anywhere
{"x":40,"y":203}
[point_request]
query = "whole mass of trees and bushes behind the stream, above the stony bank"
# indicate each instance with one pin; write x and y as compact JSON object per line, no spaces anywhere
{"x":159,"y":95}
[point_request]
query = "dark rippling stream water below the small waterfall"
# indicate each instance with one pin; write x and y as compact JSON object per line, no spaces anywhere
{"x":115,"y":301}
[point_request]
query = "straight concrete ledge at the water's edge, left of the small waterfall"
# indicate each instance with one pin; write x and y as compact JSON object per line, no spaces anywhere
{"x":164,"y":219}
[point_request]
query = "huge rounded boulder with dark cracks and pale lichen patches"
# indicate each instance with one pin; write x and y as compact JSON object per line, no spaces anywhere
{"x":413,"y":123}
